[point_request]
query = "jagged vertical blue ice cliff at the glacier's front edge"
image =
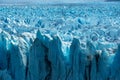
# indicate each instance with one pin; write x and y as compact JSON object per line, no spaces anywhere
{"x":45,"y":60}
